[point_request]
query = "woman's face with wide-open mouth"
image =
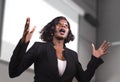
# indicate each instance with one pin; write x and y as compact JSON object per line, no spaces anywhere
{"x":61,"y":30}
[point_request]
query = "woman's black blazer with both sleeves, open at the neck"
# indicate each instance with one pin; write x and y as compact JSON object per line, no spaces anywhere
{"x":45,"y":63}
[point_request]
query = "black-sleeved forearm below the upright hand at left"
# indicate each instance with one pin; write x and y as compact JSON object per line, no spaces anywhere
{"x":16,"y":59}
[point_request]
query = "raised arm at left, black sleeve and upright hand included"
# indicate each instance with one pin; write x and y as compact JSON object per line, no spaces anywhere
{"x":21,"y":60}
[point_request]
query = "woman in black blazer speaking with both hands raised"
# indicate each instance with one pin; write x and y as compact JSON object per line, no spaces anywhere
{"x":53,"y":61}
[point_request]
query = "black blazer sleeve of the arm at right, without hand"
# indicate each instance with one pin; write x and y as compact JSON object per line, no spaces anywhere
{"x":86,"y":75}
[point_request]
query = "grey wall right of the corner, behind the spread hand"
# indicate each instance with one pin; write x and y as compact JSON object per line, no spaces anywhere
{"x":109,"y":29}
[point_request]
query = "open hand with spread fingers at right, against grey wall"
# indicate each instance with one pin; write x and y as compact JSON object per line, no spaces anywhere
{"x":102,"y":50}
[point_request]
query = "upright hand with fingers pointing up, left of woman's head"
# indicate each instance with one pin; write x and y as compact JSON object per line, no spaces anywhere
{"x":27,"y":34}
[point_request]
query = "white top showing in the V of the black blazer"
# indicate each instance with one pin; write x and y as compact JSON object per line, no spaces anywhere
{"x":61,"y":66}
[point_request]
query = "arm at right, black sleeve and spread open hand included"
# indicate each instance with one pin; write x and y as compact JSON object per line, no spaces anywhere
{"x":85,"y":76}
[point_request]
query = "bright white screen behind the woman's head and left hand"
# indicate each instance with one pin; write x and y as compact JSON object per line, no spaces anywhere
{"x":16,"y":12}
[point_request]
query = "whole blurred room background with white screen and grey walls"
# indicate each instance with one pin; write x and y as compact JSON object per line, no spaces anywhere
{"x":90,"y":20}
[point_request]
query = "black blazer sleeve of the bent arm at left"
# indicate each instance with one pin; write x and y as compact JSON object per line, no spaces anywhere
{"x":21,"y":59}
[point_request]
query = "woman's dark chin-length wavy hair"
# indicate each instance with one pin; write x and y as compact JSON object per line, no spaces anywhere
{"x":49,"y":29}
